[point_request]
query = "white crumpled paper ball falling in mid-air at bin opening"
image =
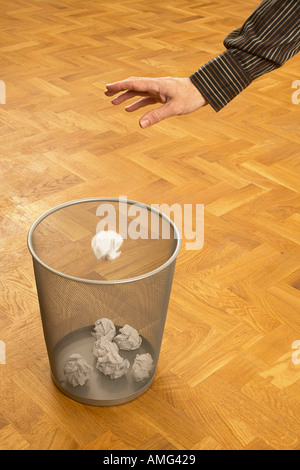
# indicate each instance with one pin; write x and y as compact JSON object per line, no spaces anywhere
{"x":106,"y":244}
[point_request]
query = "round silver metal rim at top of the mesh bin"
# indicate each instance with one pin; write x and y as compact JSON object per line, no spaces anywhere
{"x":97,"y":281}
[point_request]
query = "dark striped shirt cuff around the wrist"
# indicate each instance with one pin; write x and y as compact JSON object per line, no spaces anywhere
{"x":221,"y":79}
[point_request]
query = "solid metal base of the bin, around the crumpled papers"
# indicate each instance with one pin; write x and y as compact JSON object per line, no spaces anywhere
{"x":99,"y":390}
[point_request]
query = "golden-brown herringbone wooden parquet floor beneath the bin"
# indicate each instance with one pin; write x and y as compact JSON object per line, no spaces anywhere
{"x":225,"y":378}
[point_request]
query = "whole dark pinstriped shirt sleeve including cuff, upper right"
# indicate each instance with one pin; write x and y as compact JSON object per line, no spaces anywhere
{"x":267,"y":39}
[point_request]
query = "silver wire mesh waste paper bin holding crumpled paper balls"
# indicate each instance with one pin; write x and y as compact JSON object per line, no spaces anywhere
{"x":103,"y":317}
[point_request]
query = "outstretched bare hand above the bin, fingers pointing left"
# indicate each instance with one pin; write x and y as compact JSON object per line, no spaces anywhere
{"x":178,"y":96}
